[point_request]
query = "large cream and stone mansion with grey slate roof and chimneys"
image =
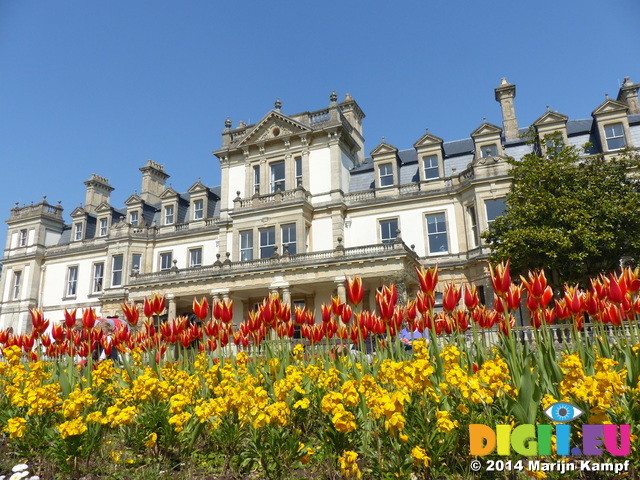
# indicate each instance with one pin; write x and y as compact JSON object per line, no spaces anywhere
{"x":300,"y":206}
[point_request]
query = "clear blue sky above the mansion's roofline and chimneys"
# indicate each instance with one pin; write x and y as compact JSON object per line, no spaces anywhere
{"x":101,"y":86}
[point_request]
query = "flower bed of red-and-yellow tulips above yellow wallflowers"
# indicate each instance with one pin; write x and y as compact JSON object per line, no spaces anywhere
{"x":191,"y":400}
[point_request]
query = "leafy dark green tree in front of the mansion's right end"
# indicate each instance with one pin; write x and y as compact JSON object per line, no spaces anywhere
{"x":575,"y":215}
